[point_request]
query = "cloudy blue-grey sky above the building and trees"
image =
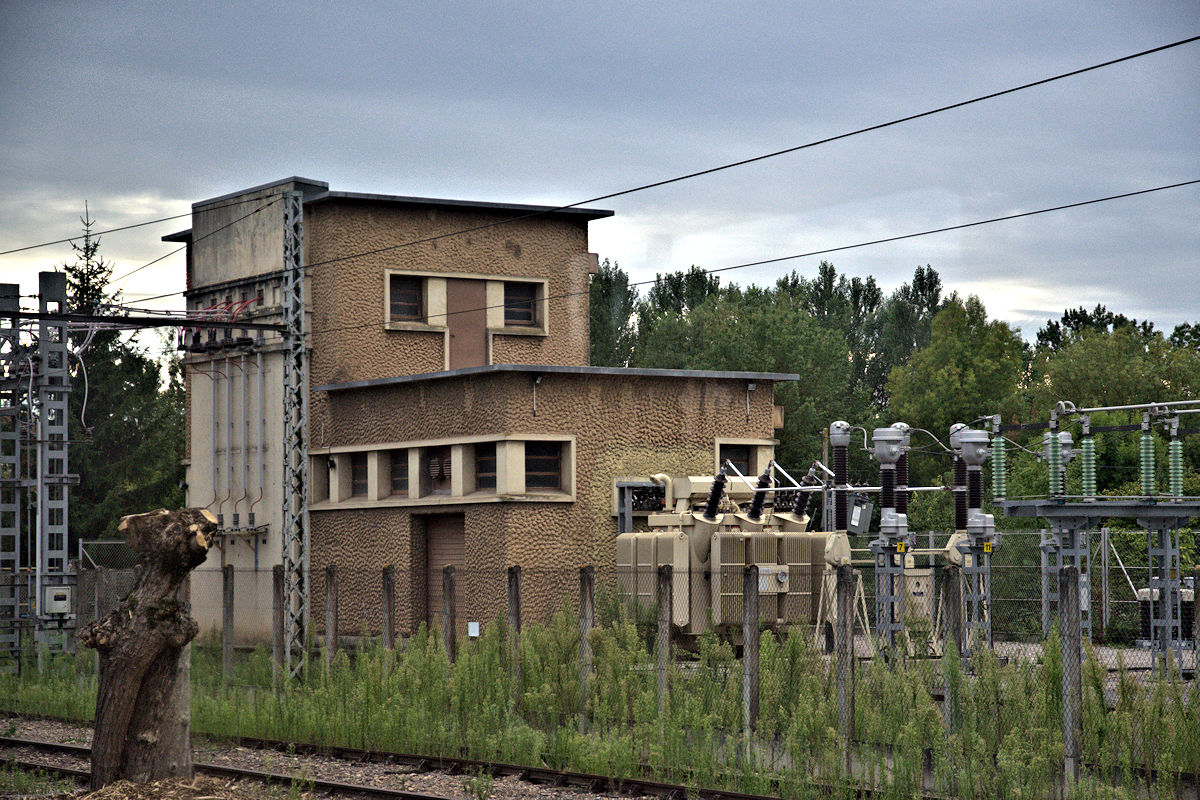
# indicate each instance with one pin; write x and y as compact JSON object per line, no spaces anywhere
{"x":140,"y":110}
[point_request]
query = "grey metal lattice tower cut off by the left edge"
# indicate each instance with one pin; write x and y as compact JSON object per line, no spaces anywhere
{"x":10,"y":470}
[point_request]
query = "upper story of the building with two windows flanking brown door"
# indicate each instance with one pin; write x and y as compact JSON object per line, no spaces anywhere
{"x":399,"y":285}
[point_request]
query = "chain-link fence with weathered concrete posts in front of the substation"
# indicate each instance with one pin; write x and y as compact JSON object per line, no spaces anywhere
{"x":1025,"y":675}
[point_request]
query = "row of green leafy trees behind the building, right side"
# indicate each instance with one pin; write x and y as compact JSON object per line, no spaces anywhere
{"x":916,"y":354}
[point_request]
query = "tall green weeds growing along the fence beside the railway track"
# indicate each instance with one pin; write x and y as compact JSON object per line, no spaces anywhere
{"x":999,"y":733}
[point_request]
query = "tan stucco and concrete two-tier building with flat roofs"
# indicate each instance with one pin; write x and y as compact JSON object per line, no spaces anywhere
{"x":452,"y":417}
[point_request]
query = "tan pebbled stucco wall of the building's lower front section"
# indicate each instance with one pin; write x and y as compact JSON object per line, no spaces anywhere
{"x":623,"y":426}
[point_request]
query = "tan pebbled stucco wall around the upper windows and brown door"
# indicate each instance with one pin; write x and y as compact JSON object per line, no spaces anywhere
{"x":351,"y":293}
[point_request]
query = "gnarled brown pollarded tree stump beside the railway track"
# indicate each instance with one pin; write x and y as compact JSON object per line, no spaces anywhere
{"x":143,"y":700}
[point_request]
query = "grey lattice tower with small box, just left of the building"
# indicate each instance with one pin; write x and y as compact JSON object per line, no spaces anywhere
{"x":53,"y":394}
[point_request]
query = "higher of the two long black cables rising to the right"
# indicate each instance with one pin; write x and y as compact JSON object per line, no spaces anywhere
{"x":743,"y":163}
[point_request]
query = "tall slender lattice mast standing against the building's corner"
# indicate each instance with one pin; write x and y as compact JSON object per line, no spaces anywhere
{"x":296,"y":425}
